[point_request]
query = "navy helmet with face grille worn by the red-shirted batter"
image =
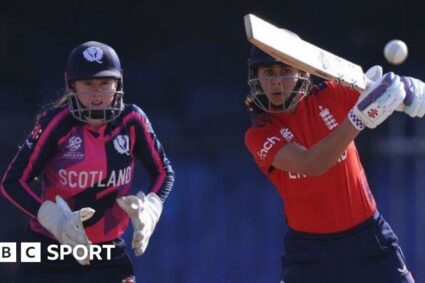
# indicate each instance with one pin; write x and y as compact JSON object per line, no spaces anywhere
{"x":257,"y":94}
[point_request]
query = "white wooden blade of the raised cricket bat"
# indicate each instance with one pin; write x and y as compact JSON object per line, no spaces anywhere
{"x":288,"y":48}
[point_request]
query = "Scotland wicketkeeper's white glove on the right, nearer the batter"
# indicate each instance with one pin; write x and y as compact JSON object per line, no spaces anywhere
{"x":144,"y":212}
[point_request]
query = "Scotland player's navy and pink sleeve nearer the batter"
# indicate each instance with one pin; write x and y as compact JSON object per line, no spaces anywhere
{"x":149,"y":151}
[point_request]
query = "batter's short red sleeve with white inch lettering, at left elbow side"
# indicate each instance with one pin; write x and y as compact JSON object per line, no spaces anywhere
{"x":263,"y":144}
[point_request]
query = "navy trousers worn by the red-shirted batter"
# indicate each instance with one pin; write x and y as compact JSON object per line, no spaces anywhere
{"x":367,"y":253}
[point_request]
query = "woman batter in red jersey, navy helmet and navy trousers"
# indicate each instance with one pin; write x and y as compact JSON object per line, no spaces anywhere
{"x":302,"y":139}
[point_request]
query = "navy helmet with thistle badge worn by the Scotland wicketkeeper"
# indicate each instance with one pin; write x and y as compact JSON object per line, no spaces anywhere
{"x":93,"y":60}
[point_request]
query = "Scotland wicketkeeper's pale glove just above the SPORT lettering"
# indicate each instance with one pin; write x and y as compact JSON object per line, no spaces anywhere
{"x":66,"y":225}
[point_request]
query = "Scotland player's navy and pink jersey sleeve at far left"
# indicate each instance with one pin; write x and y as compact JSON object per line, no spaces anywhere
{"x":29,"y":162}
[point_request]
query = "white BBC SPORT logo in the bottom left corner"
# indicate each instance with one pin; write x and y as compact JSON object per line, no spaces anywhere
{"x":31,"y":252}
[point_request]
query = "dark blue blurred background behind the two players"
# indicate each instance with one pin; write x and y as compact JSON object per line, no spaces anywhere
{"x":185,"y":65}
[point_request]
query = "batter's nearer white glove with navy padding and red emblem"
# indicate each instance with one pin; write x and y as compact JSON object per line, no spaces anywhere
{"x":377,"y":102}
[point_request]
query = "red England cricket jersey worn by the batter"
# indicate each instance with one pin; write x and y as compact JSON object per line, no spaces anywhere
{"x":340,"y":198}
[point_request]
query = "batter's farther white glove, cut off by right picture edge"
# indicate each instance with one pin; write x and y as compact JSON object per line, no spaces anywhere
{"x":416,"y":90}
